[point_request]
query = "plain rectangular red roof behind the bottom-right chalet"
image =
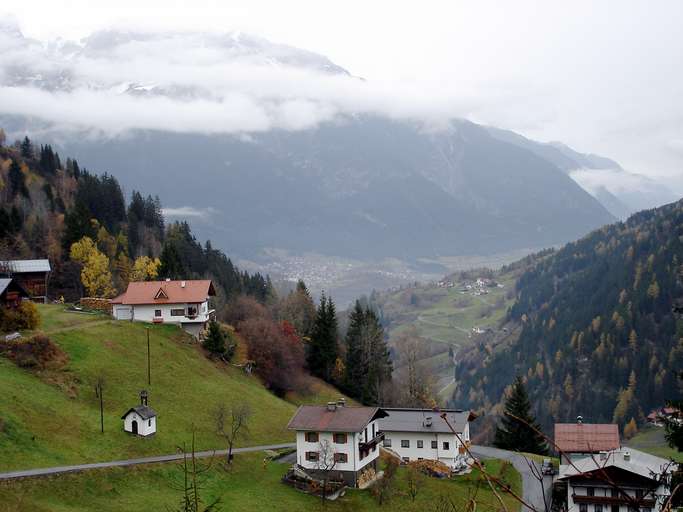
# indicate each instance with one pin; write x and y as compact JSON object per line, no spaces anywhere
{"x":586,"y":437}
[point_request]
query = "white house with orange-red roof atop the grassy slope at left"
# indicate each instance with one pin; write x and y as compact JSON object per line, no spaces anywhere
{"x":177,"y":302}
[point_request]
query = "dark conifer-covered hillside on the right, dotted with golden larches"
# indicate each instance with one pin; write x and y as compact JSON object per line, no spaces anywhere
{"x":598,"y":334}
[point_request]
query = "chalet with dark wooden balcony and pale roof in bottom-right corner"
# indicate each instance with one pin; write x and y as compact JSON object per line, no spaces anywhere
{"x":616,"y":481}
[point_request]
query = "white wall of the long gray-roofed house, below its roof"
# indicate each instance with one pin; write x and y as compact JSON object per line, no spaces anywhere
{"x":412,"y":446}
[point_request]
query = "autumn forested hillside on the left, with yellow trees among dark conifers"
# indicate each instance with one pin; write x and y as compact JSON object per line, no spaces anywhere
{"x":48,"y":205}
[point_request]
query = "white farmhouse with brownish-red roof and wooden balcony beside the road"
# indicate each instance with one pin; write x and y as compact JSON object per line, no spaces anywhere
{"x":340,"y":440}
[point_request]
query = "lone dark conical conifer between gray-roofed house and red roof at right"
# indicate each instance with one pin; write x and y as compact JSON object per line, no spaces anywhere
{"x":513,"y":434}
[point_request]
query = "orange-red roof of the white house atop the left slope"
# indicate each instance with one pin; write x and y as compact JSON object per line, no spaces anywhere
{"x":172,"y":292}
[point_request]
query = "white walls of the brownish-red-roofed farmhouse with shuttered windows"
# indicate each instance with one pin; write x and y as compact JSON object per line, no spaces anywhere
{"x":350,"y":448}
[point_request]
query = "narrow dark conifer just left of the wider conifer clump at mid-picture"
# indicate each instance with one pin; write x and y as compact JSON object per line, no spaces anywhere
{"x":323,"y":349}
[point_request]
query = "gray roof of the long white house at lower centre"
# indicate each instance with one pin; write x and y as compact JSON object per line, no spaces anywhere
{"x":413,"y":420}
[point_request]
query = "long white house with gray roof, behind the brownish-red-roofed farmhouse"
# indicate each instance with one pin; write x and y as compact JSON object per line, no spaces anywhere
{"x":417,"y":434}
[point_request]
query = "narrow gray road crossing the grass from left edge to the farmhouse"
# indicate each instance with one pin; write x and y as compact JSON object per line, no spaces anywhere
{"x":132,"y":462}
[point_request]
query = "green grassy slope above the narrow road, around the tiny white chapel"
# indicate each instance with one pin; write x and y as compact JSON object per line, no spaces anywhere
{"x":53,"y":418}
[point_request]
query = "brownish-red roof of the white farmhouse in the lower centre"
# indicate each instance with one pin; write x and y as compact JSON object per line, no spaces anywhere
{"x":317,"y":418}
